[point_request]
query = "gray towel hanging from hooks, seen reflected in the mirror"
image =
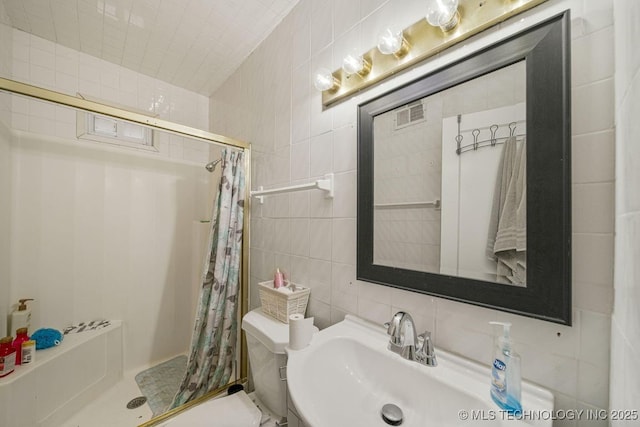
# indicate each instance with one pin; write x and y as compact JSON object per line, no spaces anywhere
{"x":507,"y":238}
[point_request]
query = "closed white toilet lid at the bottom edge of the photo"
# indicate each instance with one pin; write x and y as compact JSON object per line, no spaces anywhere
{"x":236,"y":410}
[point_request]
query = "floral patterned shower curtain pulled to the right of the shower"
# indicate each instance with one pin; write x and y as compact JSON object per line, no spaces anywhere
{"x":213,"y":343}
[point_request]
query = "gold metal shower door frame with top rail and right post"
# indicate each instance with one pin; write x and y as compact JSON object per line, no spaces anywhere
{"x":19,"y":88}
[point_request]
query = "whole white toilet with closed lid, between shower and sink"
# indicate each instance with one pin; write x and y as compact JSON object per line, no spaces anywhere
{"x":266,"y":342}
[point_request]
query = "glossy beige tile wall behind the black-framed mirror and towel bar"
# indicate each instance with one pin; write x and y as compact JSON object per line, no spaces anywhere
{"x":270,"y":101}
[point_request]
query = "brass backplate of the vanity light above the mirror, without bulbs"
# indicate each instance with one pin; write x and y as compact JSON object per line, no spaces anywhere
{"x":425,"y":41}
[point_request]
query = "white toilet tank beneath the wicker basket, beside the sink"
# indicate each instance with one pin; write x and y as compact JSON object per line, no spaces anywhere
{"x":266,"y":340}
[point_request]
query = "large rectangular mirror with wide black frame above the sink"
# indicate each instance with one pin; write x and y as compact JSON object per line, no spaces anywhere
{"x":508,"y":105}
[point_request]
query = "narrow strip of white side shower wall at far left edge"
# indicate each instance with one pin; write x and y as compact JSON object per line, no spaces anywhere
{"x":5,"y":177}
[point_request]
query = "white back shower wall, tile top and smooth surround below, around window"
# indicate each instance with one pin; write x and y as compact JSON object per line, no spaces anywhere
{"x":102,"y":232}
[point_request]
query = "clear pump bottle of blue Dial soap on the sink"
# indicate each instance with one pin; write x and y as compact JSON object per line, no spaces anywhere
{"x":505,"y":373}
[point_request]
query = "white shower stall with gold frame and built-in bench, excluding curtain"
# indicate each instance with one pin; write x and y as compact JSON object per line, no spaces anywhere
{"x":97,"y":230}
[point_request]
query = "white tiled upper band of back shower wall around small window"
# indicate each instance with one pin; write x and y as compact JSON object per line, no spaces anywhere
{"x":56,"y":67}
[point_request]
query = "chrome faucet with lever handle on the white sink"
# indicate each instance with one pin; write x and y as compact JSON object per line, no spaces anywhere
{"x":404,"y":341}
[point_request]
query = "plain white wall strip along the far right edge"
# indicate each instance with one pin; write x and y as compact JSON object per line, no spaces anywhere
{"x":625,"y":324}
